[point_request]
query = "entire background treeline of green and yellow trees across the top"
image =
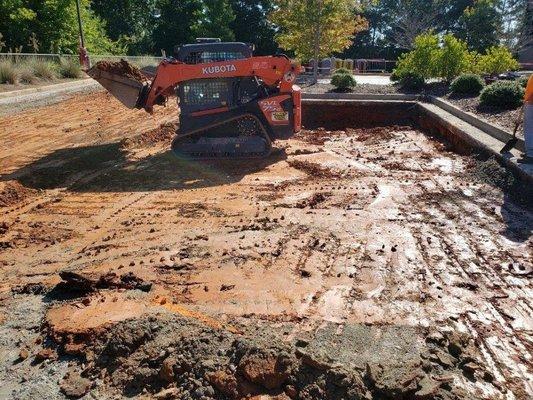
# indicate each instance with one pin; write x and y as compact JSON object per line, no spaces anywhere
{"x":346,"y":28}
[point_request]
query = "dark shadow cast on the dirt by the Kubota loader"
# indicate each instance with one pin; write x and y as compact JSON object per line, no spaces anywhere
{"x":106,"y":168}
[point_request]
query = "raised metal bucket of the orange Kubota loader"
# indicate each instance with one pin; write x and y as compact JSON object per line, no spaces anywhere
{"x":125,"y":89}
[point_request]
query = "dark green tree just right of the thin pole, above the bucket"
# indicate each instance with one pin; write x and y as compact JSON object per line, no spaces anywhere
{"x":130,"y":22}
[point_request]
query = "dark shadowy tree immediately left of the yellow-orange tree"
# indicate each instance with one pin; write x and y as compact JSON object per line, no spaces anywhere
{"x":251,"y":24}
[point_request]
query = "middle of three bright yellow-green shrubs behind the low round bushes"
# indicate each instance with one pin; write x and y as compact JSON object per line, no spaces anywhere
{"x":452,"y":59}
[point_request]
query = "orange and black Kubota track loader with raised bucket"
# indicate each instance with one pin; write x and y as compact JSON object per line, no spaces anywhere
{"x":232,"y":104}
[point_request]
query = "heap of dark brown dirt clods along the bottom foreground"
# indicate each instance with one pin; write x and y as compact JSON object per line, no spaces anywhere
{"x":164,"y":354}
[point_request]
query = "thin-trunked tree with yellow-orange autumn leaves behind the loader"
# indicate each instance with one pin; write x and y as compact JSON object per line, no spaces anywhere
{"x":314,"y":29}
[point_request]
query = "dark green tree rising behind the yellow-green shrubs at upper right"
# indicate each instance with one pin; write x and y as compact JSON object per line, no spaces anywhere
{"x":480,"y":25}
